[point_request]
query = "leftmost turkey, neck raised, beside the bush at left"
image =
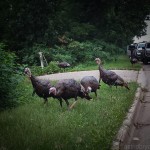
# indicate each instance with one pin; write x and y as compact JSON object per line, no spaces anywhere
{"x":40,"y":87}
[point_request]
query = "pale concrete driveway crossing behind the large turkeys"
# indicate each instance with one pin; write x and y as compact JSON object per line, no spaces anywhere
{"x":127,"y":75}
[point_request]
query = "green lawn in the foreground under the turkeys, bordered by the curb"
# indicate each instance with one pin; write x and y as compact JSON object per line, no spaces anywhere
{"x":90,"y":125}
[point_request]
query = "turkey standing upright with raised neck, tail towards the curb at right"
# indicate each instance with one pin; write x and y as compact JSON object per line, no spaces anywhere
{"x":110,"y":77}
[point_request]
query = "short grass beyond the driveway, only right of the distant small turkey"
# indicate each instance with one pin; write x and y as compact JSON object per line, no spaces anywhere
{"x":122,"y":63}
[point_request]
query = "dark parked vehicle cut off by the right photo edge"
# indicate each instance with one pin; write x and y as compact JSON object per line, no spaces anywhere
{"x":146,"y":53}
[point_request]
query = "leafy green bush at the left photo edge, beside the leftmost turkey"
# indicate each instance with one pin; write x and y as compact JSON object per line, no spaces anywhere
{"x":8,"y":77}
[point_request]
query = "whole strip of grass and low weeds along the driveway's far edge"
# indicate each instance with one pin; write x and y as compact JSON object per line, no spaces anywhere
{"x":120,"y":62}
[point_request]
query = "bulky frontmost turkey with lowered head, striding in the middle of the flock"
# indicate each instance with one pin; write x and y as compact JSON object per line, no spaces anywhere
{"x":68,"y":88}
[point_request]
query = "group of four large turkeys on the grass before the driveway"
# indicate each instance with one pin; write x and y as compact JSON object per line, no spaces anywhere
{"x":70,"y":88}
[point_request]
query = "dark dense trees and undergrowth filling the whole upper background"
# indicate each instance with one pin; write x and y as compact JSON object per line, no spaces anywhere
{"x":33,"y":26}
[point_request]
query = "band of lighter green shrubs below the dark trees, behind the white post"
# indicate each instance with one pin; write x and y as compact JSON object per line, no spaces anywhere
{"x":73,"y":53}
